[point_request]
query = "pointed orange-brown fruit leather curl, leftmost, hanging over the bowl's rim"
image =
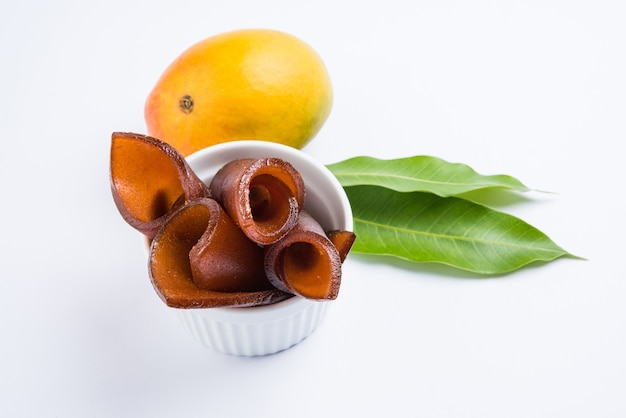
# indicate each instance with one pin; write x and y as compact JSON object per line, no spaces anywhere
{"x":148,"y":179}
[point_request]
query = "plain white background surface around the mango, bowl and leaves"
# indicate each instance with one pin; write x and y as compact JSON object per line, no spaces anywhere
{"x":535,"y":89}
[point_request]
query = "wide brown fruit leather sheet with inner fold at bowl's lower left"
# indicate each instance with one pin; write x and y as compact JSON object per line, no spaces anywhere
{"x":200,"y":259}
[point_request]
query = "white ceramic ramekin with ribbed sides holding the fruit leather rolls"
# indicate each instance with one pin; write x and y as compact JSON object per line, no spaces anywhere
{"x":272,"y":328}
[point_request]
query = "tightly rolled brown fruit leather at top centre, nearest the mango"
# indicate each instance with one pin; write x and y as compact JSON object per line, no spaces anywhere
{"x":263,"y":196}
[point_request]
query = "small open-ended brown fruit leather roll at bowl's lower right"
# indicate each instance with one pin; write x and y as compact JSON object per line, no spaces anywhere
{"x":305,"y":262}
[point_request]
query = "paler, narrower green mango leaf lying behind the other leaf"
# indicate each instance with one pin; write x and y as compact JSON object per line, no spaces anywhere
{"x":418,"y":173}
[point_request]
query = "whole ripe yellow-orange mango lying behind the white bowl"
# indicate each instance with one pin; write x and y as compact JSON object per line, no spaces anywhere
{"x":246,"y":84}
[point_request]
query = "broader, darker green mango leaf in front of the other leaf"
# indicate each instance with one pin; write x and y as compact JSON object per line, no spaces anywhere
{"x":424,"y":227}
